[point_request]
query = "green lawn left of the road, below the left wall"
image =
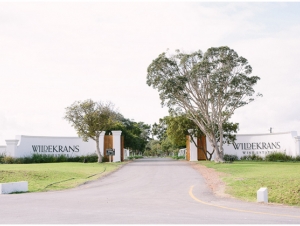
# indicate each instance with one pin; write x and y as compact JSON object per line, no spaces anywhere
{"x":54,"y":176}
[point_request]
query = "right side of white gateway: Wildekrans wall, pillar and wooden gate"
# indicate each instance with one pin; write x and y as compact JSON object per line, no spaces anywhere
{"x":248,"y":144}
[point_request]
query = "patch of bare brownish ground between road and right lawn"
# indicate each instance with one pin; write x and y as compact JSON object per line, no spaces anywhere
{"x":212,"y":179}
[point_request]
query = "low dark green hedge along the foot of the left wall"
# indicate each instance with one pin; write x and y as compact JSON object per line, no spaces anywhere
{"x":43,"y":158}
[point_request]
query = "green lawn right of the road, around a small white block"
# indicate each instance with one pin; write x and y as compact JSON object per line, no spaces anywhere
{"x":244,"y":178}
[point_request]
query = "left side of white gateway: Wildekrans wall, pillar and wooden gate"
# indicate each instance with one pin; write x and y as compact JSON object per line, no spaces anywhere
{"x":23,"y":146}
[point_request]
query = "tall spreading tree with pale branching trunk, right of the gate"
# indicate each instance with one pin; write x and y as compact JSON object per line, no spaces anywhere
{"x":208,"y":87}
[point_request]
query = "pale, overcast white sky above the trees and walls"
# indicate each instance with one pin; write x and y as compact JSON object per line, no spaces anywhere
{"x":54,"y":53}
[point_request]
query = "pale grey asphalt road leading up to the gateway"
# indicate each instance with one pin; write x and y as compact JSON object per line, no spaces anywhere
{"x":146,"y":191}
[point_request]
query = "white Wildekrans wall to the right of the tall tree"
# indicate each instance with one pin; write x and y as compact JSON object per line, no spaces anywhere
{"x":263,"y":144}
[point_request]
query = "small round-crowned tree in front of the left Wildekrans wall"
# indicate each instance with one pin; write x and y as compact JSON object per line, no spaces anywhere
{"x":90,"y":118}
